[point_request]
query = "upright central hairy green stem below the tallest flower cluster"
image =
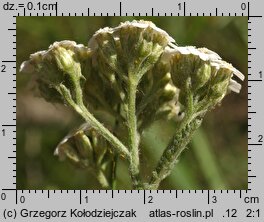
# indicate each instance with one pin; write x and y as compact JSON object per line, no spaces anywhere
{"x":132,"y":134}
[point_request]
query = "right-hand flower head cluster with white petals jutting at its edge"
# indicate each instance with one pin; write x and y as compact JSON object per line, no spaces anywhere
{"x":210,"y":77}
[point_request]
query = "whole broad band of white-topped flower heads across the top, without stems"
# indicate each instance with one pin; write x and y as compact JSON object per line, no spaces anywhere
{"x":134,"y":53}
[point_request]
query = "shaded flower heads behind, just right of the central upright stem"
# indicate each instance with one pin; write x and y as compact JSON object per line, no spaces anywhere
{"x":154,"y":92}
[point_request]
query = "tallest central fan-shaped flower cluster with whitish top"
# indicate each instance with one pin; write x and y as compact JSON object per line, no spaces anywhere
{"x":132,"y":48}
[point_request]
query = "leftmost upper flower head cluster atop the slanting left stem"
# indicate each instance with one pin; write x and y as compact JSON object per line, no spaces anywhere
{"x":55,"y":66}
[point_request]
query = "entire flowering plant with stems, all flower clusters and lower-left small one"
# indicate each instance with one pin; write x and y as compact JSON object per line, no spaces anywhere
{"x":136,"y":74}
